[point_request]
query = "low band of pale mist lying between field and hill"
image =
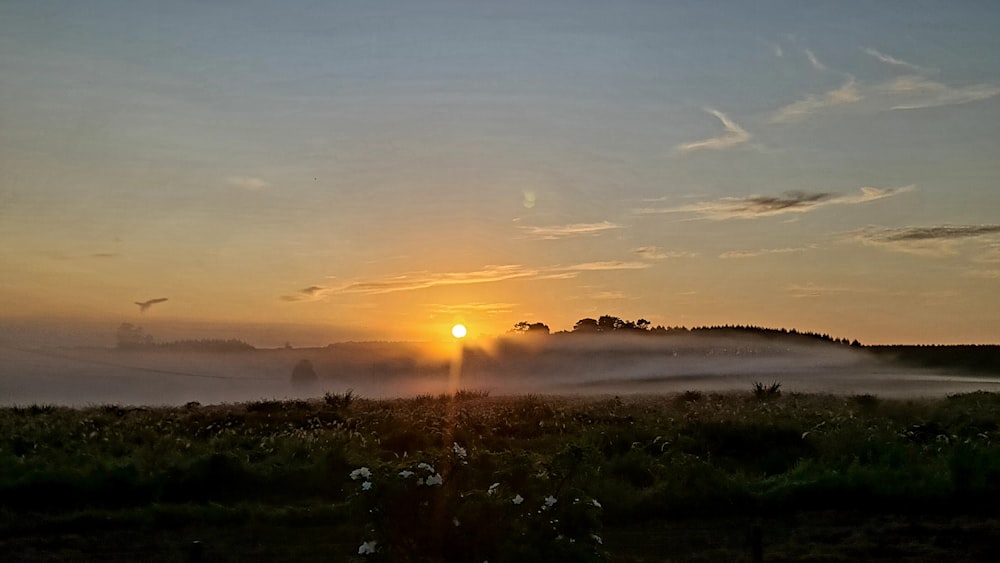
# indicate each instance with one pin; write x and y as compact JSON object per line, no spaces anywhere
{"x":580,"y":365}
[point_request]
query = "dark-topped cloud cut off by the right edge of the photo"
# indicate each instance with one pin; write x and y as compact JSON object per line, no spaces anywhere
{"x":941,"y":240}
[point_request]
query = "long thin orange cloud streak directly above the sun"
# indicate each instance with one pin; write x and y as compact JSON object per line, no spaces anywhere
{"x":412,"y":281}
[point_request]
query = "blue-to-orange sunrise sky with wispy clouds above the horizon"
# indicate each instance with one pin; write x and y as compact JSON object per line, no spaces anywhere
{"x":384,"y":169}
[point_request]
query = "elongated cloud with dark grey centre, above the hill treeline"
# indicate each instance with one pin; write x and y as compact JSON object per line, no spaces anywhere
{"x":766,"y":206}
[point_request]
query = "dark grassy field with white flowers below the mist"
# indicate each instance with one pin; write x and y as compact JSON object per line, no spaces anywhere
{"x":473,"y":477}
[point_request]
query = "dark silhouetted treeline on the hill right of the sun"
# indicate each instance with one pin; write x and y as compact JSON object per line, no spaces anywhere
{"x":609,"y":324}
